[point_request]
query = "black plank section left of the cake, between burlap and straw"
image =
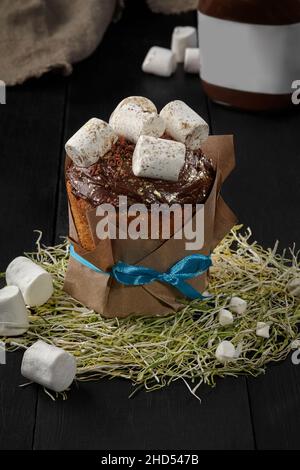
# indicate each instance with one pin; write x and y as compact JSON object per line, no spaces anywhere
{"x":30,"y":133}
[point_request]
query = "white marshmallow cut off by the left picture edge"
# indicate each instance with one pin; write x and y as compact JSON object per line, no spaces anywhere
{"x":13,"y":312}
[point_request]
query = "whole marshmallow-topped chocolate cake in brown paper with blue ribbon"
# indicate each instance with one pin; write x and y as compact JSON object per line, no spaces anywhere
{"x":151,"y":159}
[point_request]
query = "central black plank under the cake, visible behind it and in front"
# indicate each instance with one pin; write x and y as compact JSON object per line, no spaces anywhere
{"x":100,"y":415}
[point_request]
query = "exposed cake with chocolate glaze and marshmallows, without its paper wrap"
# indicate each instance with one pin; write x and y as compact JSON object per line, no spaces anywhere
{"x":149,"y":157}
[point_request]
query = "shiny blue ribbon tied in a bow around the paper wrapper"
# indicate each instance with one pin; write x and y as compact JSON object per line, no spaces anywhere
{"x":130,"y":275}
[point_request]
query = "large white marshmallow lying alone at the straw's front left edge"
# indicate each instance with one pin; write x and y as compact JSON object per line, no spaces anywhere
{"x":49,"y":366}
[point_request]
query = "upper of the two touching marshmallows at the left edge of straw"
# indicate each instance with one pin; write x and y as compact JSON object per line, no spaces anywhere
{"x":33,"y":281}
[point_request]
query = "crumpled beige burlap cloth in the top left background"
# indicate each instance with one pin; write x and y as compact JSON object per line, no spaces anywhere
{"x":37,"y":36}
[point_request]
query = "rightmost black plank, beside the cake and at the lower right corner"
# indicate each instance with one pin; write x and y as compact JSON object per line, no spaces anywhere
{"x":265,"y":192}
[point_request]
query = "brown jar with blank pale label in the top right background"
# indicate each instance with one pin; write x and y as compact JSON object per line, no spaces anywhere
{"x":250,"y":51}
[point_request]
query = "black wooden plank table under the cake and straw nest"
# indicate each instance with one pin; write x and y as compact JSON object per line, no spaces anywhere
{"x":39,"y":116}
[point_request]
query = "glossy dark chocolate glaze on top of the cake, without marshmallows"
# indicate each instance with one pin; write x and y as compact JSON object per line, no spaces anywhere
{"x":112,"y":176}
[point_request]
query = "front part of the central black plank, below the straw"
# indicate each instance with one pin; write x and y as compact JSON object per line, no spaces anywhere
{"x":101,"y":416}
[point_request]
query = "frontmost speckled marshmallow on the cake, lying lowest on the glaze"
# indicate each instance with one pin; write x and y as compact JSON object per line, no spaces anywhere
{"x":158,"y":158}
